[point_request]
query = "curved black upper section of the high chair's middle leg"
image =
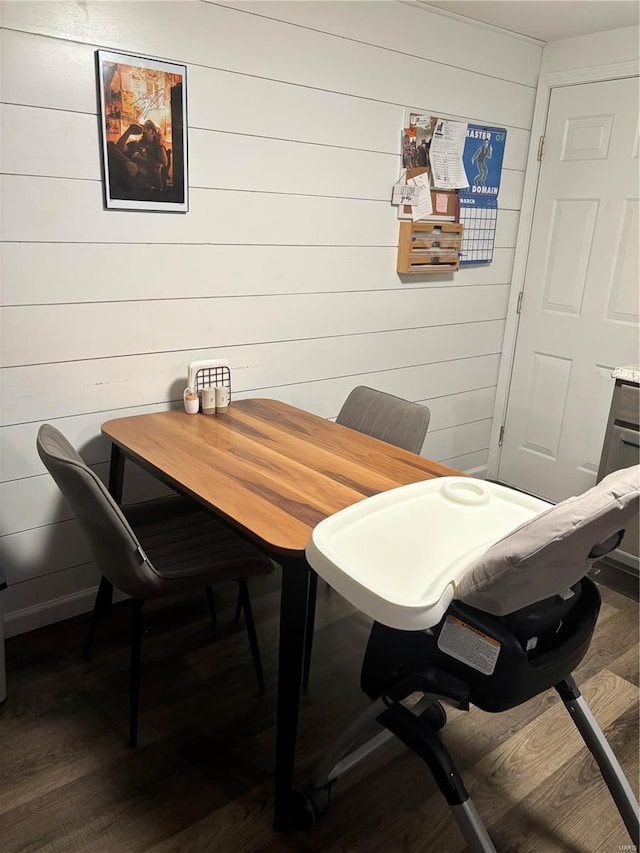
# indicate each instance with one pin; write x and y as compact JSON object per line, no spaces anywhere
{"x":419,"y":737}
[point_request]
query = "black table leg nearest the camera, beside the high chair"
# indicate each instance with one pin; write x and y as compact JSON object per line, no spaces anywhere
{"x":293,"y":617}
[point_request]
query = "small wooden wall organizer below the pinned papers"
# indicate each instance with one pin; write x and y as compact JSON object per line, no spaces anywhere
{"x":429,"y":247}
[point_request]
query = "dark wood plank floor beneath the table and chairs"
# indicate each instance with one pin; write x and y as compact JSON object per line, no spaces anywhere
{"x":201,"y":779}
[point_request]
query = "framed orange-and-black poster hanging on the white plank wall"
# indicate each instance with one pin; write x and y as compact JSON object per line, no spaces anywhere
{"x":143,"y":112}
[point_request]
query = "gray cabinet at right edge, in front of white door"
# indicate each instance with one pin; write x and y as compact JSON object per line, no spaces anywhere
{"x":622,"y":449}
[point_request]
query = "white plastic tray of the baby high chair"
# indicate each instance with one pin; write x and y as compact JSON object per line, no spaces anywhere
{"x":397,"y":556}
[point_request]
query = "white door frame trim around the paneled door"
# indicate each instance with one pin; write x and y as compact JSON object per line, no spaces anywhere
{"x":546,"y":83}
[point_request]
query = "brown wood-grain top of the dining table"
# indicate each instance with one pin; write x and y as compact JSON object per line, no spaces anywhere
{"x":271,"y":470}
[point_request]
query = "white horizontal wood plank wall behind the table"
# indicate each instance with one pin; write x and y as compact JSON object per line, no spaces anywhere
{"x":285,"y":263}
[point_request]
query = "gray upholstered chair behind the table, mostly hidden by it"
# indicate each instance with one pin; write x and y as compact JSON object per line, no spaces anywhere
{"x":389,"y":418}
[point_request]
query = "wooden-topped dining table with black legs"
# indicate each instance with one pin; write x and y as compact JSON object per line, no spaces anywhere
{"x":272,"y":472}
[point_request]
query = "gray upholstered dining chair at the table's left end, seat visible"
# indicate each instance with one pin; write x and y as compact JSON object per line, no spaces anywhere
{"x":149,"y":550}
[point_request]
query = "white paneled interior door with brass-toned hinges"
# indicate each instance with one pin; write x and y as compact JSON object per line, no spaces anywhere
{"x":579,"y":316}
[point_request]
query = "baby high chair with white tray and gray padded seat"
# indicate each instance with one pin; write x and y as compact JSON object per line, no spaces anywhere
{"x":480,"y":596}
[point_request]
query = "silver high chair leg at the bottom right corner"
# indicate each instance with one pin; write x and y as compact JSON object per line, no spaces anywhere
{"x":594,"y":738}
